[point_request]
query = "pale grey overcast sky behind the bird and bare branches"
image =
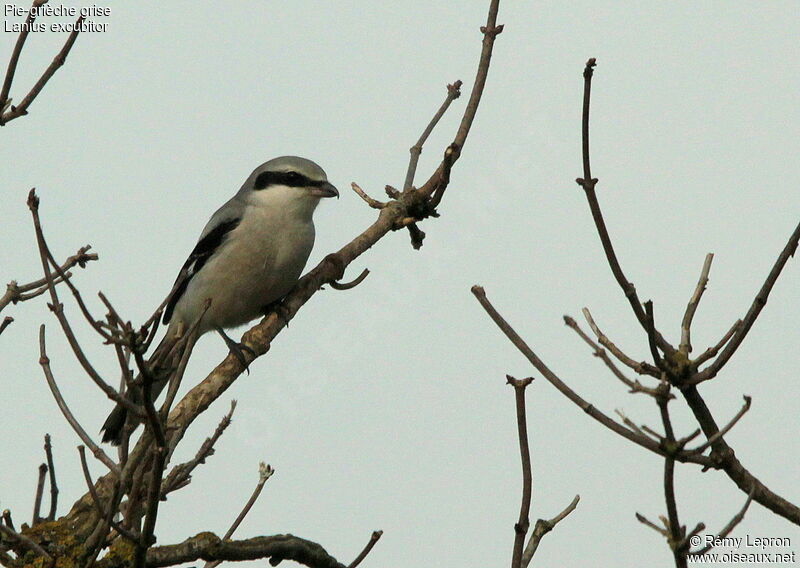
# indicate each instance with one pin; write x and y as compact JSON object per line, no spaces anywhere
{"x":385,"y":407}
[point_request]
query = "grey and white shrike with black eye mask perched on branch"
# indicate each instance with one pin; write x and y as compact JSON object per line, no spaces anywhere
{"x":248,"y":257}
